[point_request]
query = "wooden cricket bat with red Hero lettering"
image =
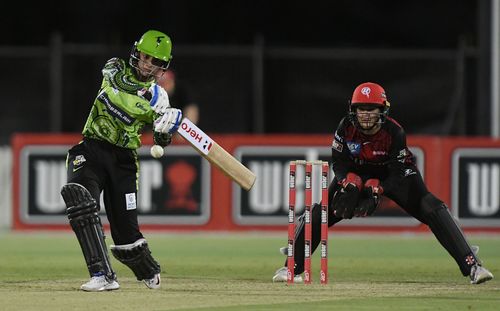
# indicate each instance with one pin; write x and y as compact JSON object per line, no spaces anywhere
{"x":216,"y":155}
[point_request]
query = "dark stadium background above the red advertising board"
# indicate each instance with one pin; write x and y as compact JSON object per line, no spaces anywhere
{"x":431,"y":56}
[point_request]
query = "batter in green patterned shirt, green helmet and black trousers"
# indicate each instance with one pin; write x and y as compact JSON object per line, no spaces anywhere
{"x":106,"y":161}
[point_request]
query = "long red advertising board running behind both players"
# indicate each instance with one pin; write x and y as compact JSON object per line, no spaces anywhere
{"x":182,"y":192}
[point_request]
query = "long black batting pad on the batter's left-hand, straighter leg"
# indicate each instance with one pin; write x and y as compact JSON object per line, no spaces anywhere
{"x":81,"y":209}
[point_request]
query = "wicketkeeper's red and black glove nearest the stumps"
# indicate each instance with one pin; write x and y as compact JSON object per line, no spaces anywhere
{"x":346,"y":198}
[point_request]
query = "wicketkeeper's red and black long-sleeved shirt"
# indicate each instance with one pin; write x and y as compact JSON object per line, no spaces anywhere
{"x":383,"y":155}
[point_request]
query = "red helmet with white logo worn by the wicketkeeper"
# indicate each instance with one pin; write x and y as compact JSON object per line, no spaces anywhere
{"x":369,"y":94}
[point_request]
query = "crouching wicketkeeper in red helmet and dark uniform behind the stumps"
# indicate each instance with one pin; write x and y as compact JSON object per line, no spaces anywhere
{"x":370,"y":158}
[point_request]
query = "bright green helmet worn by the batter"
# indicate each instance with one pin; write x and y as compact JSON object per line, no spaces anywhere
{"x":155,"y":44}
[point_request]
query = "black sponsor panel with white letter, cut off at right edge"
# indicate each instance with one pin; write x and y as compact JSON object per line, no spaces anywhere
{"x":476,"y":186}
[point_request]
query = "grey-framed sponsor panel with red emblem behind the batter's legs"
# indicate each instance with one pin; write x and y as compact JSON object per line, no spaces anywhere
{"x":174,"y":189}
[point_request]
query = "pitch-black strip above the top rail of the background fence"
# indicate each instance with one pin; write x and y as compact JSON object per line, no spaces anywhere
{"x":345,"y":23}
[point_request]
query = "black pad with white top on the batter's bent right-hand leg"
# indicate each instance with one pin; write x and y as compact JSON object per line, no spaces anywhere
{"x":138,"y":258}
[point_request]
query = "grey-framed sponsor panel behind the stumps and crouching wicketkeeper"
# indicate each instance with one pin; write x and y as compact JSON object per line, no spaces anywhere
{"x":267,"y":202}
